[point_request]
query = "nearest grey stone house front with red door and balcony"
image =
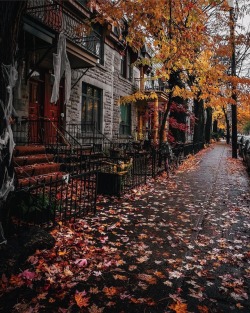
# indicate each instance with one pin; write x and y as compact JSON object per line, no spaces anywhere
{"x":101,"y":73}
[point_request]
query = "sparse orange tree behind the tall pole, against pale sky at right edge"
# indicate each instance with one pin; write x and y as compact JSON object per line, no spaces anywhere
{"x":222,"y":52}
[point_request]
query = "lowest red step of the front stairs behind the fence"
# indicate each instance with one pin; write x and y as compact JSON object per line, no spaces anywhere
{"x":41,"y":179}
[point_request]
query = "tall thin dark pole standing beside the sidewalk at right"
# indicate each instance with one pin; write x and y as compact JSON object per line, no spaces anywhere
{"x":233,"y":74}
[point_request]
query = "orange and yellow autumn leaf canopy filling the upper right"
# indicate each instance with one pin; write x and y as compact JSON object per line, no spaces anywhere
{"x":188,"y":37}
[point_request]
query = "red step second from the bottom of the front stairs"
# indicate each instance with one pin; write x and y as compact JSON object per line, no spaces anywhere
{"x":37,"y":169}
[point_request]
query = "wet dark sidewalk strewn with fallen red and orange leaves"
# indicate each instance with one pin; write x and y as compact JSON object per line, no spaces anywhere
{"x":179,"y":244}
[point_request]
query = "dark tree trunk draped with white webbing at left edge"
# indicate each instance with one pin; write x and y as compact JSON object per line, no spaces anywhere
{"x":10,"y":20}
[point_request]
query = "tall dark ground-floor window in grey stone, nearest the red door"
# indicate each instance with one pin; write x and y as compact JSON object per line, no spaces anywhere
{"x":91,"y":106}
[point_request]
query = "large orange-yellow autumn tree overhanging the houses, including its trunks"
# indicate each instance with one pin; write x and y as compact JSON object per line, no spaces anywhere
{"x":180,"y":35}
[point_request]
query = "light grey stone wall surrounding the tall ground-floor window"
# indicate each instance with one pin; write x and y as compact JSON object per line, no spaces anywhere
{"x":108,"y":79}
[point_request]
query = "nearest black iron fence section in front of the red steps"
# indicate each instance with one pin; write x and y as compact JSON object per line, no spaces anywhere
{"x":58,"y":199}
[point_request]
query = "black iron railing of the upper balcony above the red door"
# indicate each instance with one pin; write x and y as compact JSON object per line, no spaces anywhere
{"x":57,"y":17}
